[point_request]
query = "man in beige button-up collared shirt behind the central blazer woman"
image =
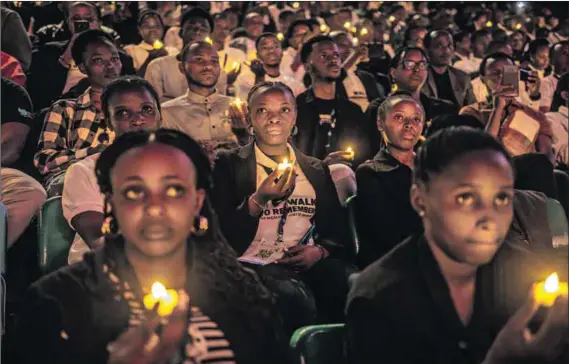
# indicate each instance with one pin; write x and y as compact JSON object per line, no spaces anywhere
{"x":203,"y":112}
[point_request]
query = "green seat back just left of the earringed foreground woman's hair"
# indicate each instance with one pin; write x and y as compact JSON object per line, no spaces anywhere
{"x":55,"y":236}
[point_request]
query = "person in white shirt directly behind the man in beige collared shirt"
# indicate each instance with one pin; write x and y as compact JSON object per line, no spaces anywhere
{"x":196,"y":25}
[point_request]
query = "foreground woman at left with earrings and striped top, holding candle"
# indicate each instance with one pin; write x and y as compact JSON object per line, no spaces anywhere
{"x":159,"y":227}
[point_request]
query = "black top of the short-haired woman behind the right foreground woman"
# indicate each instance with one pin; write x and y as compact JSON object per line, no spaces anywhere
{"x":384,"y":216}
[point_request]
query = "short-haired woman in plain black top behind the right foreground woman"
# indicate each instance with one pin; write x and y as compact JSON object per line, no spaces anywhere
{"x":383,"y":208}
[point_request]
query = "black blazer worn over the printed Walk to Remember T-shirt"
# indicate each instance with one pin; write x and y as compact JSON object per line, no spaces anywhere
{"x":235,"y":177}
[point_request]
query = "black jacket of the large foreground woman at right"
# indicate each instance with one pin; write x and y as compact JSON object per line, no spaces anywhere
{"x":400,"y":311}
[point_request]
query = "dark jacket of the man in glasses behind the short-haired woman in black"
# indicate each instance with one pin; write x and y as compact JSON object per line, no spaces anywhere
{"x":433,"y":107}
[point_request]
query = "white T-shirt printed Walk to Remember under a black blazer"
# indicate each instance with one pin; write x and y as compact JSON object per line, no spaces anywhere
{"x":301,"y":207}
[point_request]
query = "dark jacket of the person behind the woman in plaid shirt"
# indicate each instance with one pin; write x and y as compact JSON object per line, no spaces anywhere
{"x":47,"y":77}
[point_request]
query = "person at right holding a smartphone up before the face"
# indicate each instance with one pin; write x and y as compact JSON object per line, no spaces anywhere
{"x":494,"y":113}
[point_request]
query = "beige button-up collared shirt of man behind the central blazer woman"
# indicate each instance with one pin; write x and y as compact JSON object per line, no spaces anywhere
{"x":202,"y":118}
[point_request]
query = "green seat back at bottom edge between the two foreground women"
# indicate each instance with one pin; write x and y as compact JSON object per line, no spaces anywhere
{"x":321,"y":344}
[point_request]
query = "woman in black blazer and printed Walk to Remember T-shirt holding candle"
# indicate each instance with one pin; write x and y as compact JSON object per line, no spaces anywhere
{"x":286,"y":223}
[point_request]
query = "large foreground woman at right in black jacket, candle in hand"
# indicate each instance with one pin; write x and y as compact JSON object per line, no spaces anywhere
{"x":436,"y":298}
